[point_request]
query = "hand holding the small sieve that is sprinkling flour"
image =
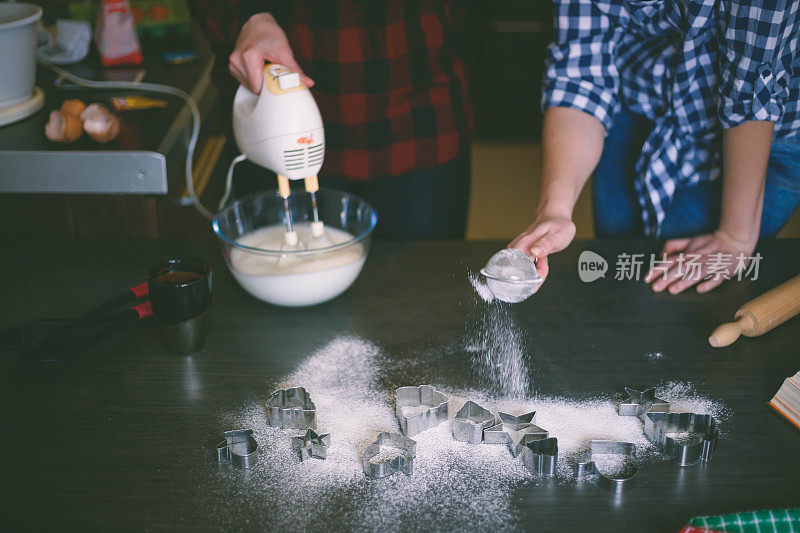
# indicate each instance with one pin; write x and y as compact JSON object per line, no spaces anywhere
{"x":547,"y":234}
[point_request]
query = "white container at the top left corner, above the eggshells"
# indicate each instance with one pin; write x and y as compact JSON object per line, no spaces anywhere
{"x":17,"y":51}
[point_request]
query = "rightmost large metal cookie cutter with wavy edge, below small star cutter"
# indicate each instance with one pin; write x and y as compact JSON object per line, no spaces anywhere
{"x":702,"y":439}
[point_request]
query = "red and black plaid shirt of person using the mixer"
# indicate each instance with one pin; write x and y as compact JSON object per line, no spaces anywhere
{"x":389,"y":83}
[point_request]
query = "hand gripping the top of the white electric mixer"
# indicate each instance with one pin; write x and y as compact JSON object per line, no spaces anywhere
{"x":260,"y":40}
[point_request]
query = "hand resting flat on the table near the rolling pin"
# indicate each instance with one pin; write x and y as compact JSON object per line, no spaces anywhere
{"x":675,"y":274}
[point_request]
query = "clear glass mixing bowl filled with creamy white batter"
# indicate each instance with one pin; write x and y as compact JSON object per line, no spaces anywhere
{"x":251,"y":232}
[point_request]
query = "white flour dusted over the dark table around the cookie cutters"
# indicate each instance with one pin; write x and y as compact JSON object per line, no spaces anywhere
{"x":461,"y":485}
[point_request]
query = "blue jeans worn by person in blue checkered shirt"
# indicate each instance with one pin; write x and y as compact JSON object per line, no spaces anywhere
{"x":694,"y":209}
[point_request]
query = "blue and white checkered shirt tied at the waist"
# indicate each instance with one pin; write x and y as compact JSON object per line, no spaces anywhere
{"x":693,"y":67}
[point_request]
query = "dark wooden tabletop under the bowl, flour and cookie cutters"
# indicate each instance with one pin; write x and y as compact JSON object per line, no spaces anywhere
{"x":110,"y":442}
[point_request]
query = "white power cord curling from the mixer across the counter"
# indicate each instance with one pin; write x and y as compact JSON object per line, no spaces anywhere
{"x":162,"y":89}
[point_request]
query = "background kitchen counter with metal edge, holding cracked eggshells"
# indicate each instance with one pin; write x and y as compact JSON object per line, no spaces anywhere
{"x":146,"y":158}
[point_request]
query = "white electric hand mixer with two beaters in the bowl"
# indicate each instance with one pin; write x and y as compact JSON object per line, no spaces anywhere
{"x":281,"y":130}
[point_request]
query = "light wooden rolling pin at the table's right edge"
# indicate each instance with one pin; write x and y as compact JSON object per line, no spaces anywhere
{"x":760,"y":314}
